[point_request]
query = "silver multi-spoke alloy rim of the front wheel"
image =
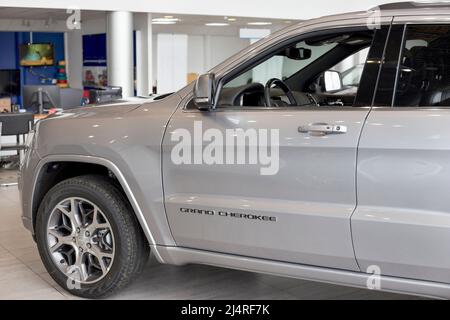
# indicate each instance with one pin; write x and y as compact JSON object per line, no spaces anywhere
{"x":80,"y":240}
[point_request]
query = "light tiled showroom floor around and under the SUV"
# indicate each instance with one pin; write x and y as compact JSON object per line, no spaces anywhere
{"x":22,"y":275}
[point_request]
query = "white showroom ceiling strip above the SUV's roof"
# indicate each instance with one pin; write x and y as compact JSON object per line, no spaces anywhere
{"x":280,"y":9}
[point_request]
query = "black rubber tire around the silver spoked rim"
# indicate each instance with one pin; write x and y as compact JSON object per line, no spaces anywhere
{"x":131,"y":247}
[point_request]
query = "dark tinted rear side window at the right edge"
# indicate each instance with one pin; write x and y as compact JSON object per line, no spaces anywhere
{"x":423,"y":77}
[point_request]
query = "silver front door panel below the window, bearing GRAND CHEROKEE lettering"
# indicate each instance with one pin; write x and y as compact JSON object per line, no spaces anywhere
{"x":312,"y":196}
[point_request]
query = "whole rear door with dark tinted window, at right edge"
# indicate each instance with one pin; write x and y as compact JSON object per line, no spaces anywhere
{"x":402,"y":223}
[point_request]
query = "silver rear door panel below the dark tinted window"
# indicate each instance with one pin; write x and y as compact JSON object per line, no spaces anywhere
{"x":402,"y":222}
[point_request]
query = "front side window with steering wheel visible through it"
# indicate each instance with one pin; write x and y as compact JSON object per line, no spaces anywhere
{"x":321,"y":70}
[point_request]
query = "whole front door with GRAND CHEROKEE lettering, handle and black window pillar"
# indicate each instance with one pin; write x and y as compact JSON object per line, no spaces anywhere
{"x":294,"y":208}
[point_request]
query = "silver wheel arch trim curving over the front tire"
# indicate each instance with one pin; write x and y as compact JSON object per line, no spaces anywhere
{"x":53,"y":169}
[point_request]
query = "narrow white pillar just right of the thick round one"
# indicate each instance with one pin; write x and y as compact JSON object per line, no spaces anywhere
{"x":144,"y":51}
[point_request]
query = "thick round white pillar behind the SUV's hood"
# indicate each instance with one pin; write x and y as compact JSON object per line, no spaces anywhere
{"x":119,"y":32}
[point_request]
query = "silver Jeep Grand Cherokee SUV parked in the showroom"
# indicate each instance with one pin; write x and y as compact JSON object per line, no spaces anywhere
{"x":270,"y":162}
